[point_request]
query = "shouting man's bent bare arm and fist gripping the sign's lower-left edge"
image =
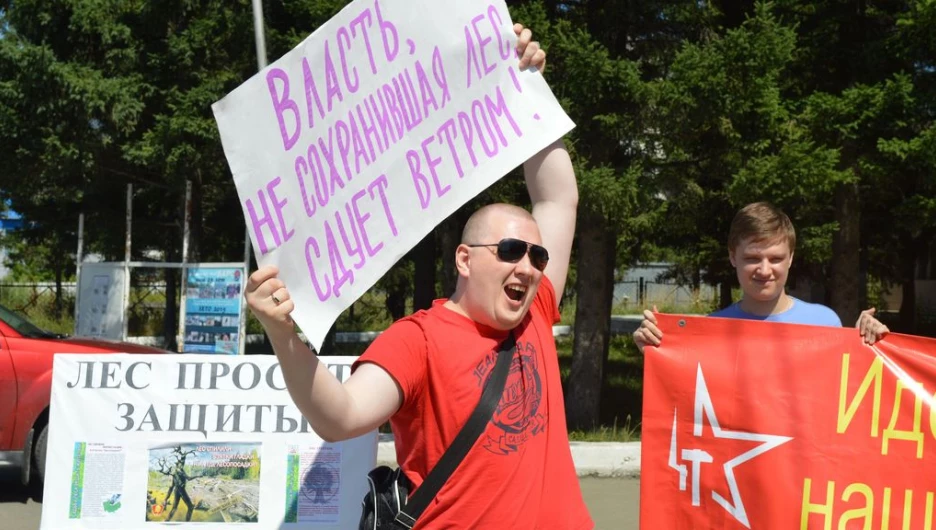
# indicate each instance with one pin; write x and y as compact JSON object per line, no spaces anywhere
{"x":335,"y":411}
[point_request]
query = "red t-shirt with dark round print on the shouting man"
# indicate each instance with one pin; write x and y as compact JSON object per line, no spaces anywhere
{"x":519,"y":474}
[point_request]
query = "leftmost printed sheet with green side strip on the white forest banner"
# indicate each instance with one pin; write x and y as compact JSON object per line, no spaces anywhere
{"x":97,"y":481}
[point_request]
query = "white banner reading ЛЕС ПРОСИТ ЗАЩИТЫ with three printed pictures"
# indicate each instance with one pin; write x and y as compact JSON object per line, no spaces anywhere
{"x":196,"y":441}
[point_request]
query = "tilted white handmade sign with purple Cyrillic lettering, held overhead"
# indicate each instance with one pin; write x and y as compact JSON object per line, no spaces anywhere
{"x":348,"y":150}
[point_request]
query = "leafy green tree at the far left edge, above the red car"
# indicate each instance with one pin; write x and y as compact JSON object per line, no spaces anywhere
{"x":56,"y":117}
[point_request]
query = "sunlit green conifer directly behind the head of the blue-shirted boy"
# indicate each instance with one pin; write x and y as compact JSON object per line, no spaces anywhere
{"x":720,"y":117}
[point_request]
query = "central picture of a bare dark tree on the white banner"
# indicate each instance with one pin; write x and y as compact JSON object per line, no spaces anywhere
{"x":204,"y":483}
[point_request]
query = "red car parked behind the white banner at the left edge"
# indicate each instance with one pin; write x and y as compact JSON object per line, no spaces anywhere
{"x":26,"y":385}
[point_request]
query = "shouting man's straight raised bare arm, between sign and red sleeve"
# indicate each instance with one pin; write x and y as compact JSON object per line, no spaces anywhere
{"x":551,"y":182}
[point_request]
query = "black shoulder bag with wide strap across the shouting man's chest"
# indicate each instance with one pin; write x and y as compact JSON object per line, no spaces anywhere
{"x":386,"y":506}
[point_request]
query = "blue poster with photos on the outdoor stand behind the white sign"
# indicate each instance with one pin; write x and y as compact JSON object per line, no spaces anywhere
{"x":213,"y":308}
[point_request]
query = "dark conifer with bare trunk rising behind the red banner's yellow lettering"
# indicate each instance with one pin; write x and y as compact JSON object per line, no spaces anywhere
{"x":843,"y":78}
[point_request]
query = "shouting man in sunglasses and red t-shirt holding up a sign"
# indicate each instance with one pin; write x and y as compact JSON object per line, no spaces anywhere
{"x":426,"y":372}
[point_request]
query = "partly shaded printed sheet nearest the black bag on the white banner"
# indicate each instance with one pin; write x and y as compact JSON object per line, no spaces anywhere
{"x":313,"y":484}
